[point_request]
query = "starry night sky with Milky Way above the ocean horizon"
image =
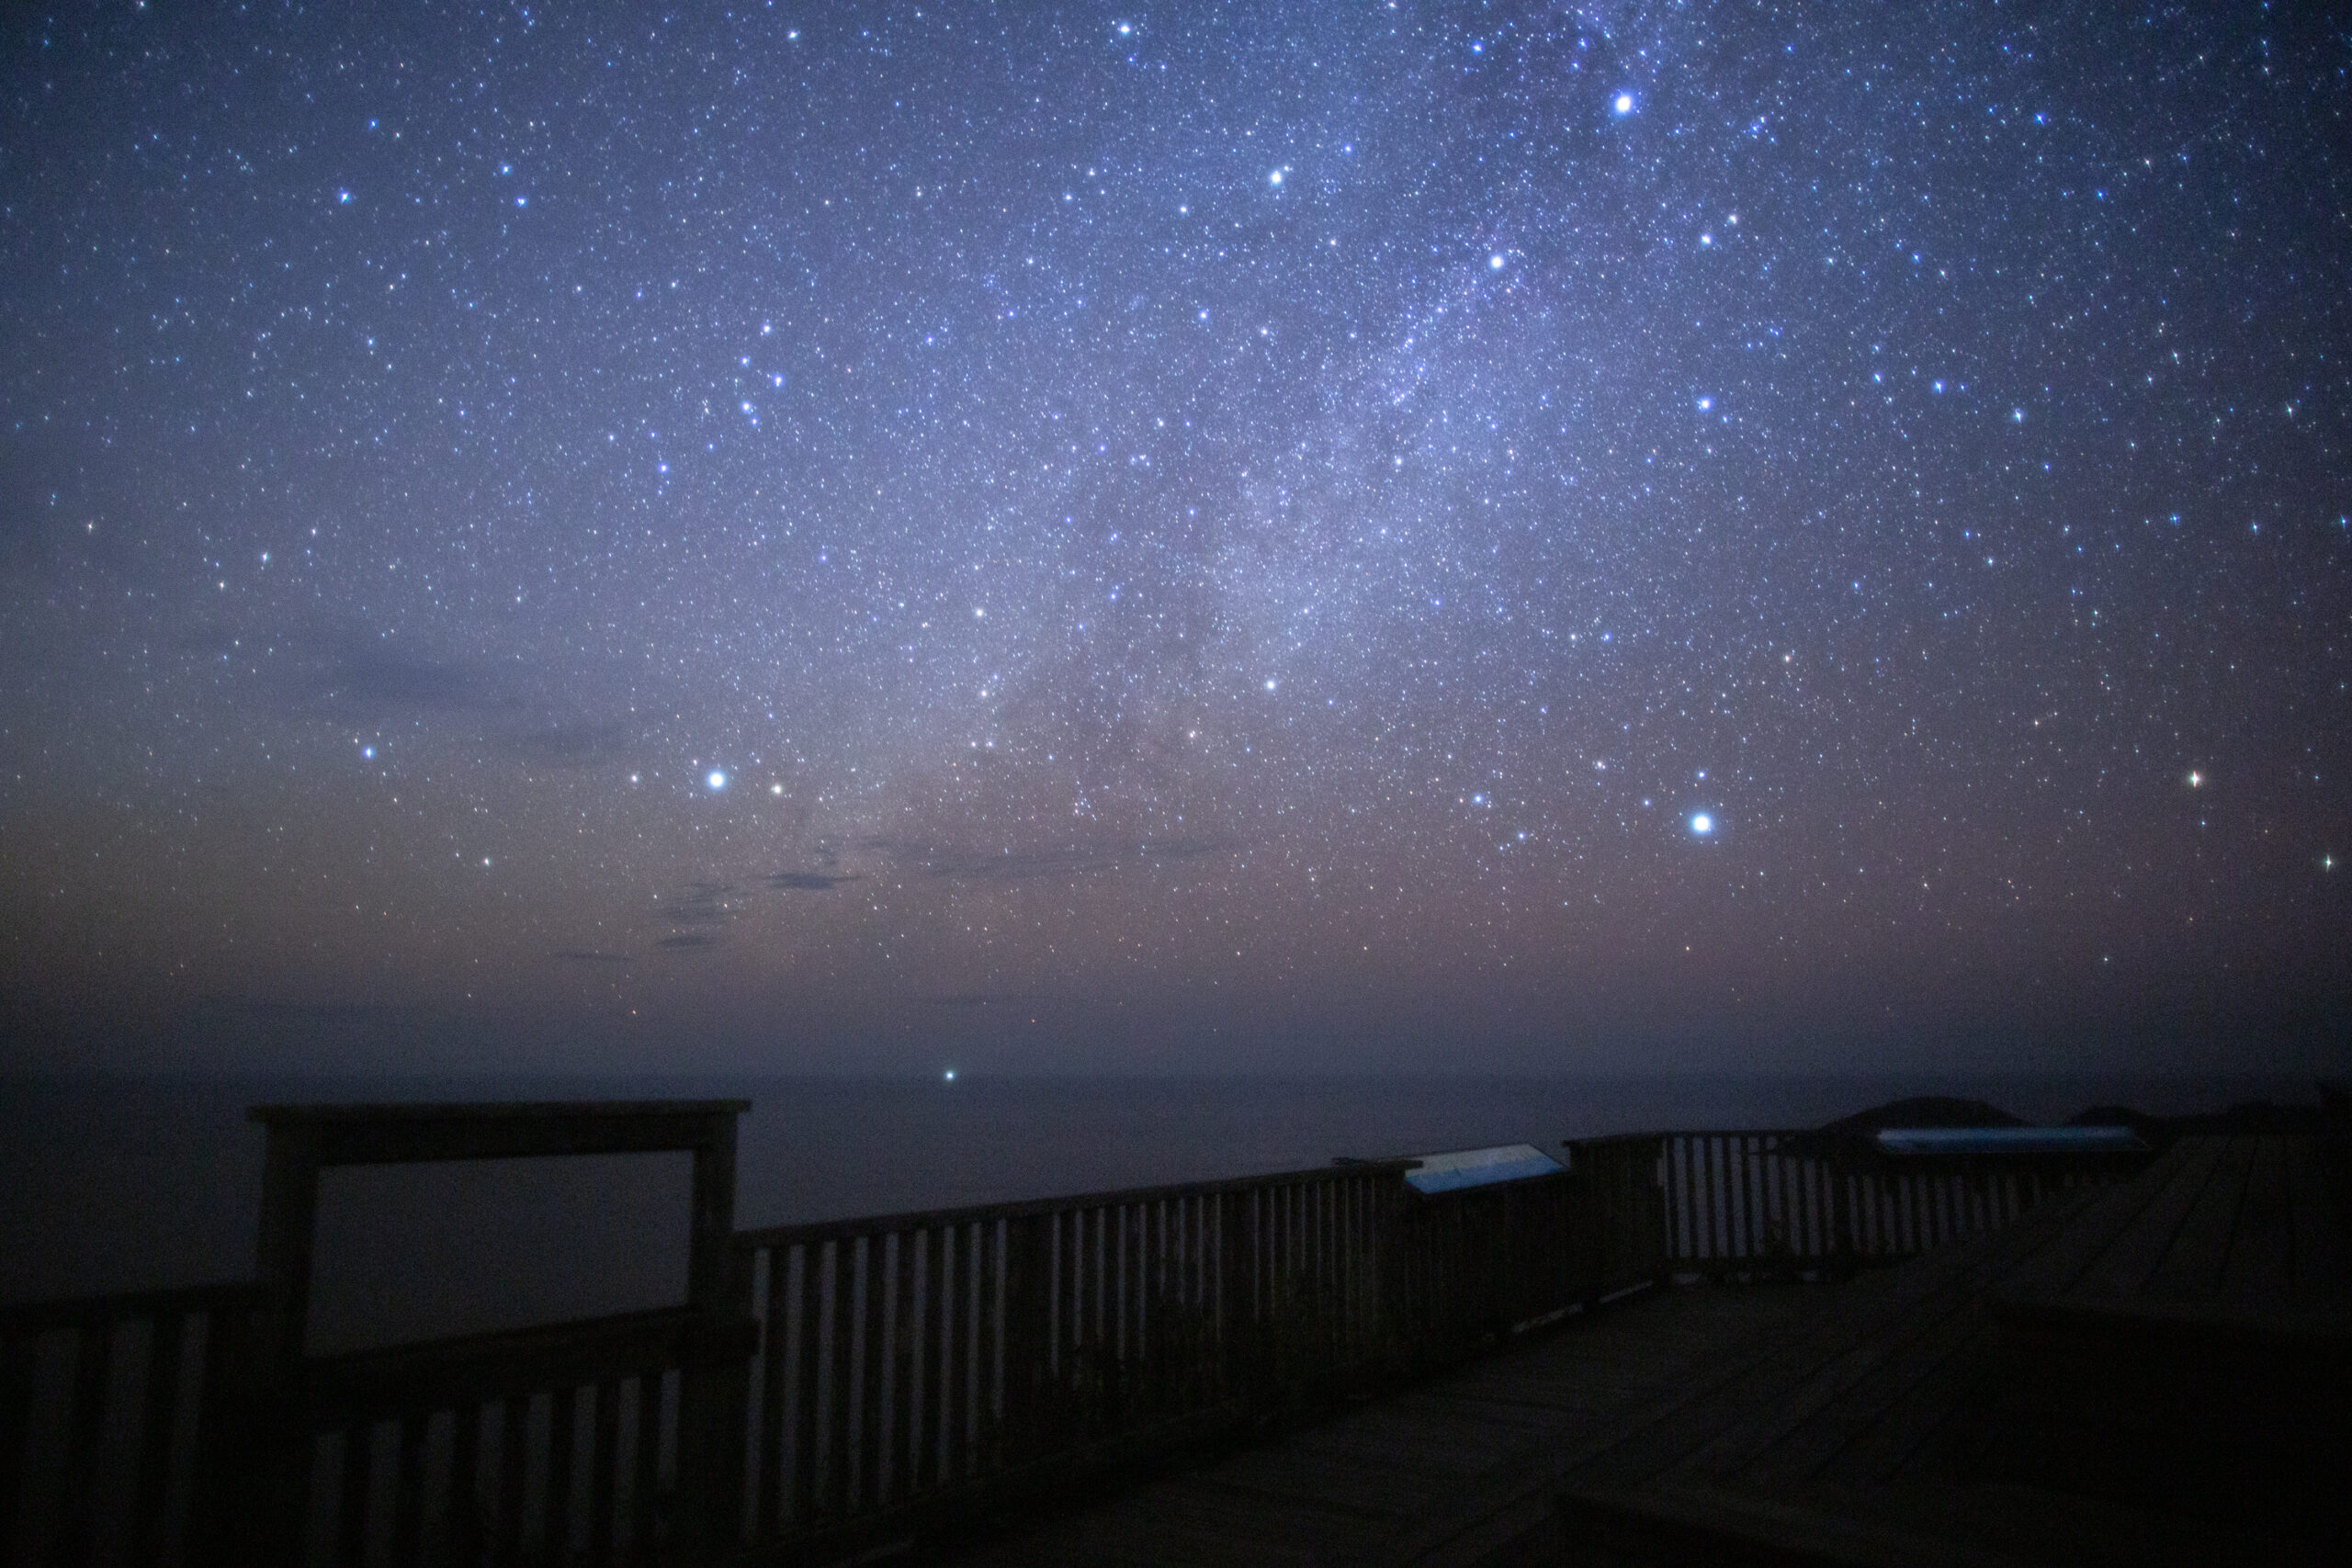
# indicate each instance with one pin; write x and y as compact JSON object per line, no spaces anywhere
{"x":1175,"y":537}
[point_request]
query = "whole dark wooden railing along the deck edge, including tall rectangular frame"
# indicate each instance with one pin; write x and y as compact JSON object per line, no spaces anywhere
{"x":838,"y":1386}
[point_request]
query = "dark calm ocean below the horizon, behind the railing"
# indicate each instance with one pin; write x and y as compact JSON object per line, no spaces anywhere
{"x":147,"y":1184}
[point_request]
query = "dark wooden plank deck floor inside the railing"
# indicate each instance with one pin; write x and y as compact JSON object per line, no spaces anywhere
{"x":1895,"y":1419}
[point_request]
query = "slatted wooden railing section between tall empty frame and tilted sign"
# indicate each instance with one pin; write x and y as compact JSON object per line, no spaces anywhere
{"x":921,"y":1360}
